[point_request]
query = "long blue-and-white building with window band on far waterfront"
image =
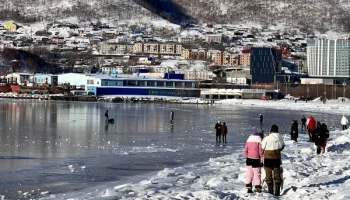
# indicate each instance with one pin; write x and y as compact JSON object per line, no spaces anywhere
{"x":114,"y":85}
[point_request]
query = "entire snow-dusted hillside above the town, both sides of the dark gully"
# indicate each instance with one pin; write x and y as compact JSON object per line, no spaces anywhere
{"x":306,"y":15}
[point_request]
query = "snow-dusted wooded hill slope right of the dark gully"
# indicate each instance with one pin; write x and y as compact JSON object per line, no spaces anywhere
{"x":307,"y":15}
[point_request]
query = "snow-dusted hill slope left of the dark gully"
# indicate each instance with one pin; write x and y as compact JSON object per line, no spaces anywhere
{"x":51,"y":10}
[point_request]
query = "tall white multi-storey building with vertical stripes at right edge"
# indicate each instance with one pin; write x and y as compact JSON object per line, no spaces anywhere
{"x":328,"y":58}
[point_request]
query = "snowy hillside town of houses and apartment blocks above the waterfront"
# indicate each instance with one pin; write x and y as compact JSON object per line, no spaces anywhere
{"x":213,"y":56}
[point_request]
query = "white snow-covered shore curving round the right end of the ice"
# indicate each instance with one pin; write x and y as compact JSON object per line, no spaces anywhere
{"x":306,"y":175}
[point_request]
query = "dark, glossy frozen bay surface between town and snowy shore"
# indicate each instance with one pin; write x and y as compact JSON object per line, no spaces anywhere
{"x":67,"y":146}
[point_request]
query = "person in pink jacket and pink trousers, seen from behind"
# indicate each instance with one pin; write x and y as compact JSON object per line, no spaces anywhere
{"x":254,"y":157}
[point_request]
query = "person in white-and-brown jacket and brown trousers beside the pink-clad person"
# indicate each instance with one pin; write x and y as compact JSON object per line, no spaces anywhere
{"x":272,"y":146}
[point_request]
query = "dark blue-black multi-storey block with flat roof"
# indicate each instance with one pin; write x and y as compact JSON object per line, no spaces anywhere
{"x":264,"y":63}
